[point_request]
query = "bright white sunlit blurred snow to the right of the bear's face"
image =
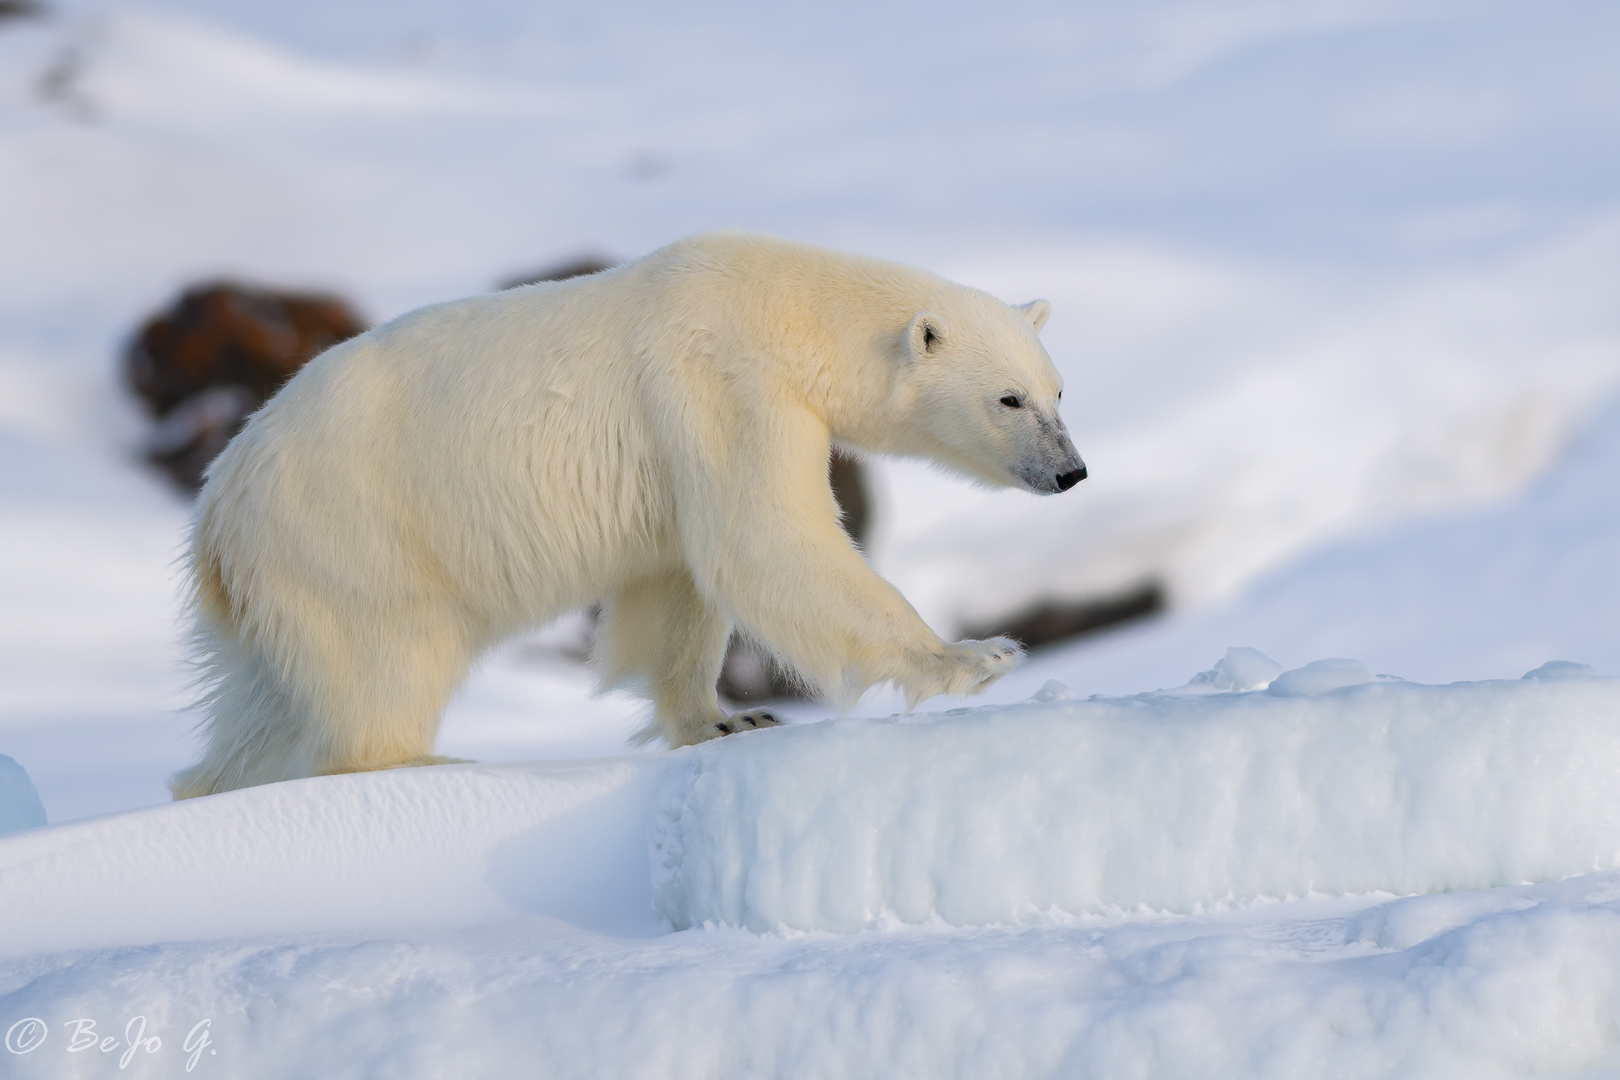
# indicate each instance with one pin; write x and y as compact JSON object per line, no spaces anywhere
{"x":1339,"y":410}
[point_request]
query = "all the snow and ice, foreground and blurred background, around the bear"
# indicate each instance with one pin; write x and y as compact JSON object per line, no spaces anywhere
{"x":1334,"y":304}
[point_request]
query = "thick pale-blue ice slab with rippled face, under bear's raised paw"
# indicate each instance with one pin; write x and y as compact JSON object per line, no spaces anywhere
{"x":1329,"y":783}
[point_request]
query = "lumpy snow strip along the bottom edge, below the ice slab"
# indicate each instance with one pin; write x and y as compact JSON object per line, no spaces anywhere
{"x":1462,"y":987}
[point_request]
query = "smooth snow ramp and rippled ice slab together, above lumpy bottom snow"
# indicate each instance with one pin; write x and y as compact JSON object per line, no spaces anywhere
{"x":1329,"y":783}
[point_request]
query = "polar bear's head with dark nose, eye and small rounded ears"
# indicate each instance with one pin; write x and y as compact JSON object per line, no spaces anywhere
{"x":983,"y":396}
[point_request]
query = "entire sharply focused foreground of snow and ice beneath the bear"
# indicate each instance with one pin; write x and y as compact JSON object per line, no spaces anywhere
{"x":1167,"y":885}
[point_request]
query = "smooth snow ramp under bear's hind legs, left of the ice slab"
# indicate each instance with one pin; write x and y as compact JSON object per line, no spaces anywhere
{"x":448,"y":846}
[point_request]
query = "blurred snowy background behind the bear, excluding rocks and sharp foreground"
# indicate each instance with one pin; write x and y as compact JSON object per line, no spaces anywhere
{"x":1334,"y":286}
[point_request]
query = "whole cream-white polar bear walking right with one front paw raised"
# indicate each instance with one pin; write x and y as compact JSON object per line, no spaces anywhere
{"x":654,"y":438}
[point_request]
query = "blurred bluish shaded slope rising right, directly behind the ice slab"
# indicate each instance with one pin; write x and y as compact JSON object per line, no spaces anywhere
{"x":1485,"y":593}
